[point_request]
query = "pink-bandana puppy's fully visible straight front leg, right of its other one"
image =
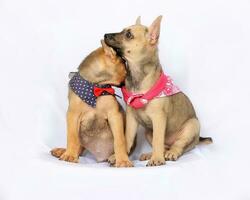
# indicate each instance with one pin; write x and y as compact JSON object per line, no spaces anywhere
{"x":159,"y":126}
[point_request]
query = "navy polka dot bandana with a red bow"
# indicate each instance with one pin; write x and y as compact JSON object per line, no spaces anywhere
{"x":88,"y":91}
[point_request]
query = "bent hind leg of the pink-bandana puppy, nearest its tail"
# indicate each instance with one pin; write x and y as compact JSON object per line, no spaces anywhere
{"x":187,"y":139}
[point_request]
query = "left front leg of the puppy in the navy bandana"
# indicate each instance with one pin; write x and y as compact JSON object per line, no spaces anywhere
{"x":74,"y":147}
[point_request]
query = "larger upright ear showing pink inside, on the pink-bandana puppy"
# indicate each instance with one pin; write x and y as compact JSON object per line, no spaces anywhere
{"x":154,"y":30}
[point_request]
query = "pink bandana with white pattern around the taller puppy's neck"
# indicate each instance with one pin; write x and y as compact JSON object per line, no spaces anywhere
{"x":163,"y":87}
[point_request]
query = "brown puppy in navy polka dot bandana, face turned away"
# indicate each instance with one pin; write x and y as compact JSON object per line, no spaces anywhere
{"x":95,"y":120}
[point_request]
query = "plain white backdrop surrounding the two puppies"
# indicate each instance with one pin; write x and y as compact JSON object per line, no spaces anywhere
{"x":204,"y":46}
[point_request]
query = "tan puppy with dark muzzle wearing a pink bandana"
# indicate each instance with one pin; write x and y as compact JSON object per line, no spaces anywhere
{"x":153,"y":100}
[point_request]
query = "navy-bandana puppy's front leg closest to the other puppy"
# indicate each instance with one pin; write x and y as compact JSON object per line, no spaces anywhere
{"x":116,"y":124}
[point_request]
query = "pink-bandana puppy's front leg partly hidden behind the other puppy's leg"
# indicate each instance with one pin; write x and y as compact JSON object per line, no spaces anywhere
{"x":131,"y":128}
